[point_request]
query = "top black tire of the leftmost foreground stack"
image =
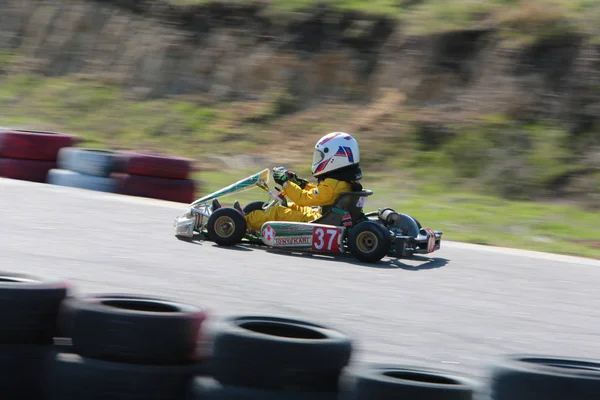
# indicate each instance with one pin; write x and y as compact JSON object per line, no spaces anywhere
{"x":29,"y":306}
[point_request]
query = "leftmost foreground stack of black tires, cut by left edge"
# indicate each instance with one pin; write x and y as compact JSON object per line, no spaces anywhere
{"x":29,"y":307}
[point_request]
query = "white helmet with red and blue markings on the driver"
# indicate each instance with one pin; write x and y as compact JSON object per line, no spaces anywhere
{"x":334,"y":151}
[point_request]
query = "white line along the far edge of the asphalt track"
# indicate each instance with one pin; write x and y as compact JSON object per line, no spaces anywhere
{"x":89,"y":194}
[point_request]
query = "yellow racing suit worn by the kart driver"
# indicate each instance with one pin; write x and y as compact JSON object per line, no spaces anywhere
{"x":302,"y":200}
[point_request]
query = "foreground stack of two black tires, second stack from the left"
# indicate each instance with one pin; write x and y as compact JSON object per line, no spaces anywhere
{"x":126,"y":346}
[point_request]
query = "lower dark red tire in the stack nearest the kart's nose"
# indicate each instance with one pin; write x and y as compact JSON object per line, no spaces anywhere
{"x":178,"y":190}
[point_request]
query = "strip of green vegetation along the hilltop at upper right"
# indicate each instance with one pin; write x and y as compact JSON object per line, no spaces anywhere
{"x":522,"y":20}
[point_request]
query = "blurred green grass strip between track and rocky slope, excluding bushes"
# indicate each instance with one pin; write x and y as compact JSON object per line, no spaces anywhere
{"x":108,"y":118}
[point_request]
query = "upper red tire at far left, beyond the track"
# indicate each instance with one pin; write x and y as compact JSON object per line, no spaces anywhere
{"x":33,"y":145}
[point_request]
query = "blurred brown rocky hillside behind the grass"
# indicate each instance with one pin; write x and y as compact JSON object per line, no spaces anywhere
{"x":516,"y":112}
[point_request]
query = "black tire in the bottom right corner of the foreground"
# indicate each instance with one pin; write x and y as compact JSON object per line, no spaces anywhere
{"x":534,"y":377}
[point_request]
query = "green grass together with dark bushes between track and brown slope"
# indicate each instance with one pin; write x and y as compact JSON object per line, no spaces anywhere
{"x":431,"y":173}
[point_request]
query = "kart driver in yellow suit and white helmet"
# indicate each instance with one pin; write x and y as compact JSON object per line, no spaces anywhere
{"x":335,"y":164}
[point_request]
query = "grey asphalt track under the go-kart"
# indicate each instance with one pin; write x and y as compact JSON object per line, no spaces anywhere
{"x":456,"y":310}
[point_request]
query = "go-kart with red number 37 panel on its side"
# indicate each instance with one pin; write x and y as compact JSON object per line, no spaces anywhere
{"x":343,"y":227}
